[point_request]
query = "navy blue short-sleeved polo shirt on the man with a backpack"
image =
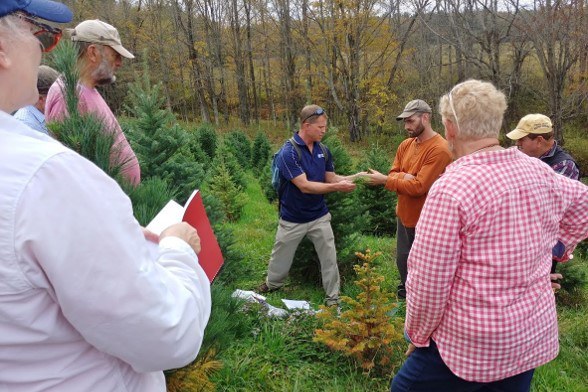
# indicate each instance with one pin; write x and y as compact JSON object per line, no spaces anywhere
{"x":295,"y":206}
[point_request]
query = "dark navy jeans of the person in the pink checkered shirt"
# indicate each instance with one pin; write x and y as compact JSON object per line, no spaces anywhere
{"x":425,"y":371}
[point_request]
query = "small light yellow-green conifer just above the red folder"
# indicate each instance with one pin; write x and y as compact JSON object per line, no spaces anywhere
{"x":224,"y":189}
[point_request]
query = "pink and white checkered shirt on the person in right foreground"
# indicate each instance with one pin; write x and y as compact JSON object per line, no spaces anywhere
{"x":478,"y":272}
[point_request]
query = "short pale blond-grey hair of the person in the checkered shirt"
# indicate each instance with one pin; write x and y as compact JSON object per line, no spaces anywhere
{"x":476,"y":108}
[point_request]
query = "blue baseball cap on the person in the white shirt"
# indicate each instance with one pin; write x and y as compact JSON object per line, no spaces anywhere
{"x":43,"y":9}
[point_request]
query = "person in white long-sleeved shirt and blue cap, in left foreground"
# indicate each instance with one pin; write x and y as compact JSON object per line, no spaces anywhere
{"x":84,"y":306}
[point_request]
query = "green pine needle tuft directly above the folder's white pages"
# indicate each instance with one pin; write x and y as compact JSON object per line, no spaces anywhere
{"x":149,"y":198}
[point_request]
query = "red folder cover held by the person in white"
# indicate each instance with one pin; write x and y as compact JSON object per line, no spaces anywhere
{"x":210,"y":256}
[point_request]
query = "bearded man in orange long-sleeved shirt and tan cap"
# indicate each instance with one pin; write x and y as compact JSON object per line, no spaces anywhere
{"x":419,"y":161}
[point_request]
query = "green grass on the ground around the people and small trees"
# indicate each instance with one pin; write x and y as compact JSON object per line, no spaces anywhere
{"x":279,"y":354}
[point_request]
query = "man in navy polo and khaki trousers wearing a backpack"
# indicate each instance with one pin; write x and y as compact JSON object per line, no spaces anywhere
{"x":303,"y":211}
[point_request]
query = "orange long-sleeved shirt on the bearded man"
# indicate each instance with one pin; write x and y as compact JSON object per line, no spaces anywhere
{"x":425,"y":161}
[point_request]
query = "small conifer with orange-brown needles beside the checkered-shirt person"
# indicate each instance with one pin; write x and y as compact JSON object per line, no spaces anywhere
{"x":364,"y":331}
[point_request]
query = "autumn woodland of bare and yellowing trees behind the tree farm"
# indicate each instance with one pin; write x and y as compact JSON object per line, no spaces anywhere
{"x":362,"y":60}
